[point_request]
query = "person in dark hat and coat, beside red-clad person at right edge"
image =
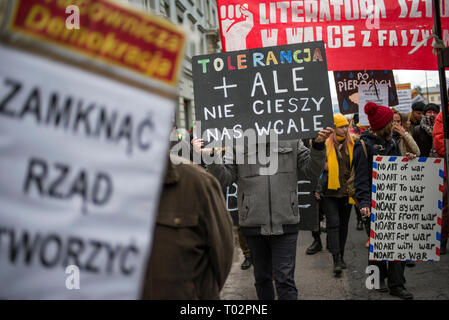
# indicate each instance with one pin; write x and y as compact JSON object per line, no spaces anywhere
{"x":422,"y":134}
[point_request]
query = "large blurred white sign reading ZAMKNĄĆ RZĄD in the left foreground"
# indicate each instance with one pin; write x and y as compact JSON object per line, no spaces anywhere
{"x":81,"y":163}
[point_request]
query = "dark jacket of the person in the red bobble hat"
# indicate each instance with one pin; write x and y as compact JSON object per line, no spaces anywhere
{"x":363,"y":166}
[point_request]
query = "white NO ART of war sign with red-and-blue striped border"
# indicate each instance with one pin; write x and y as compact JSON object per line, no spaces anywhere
{"x":406,"y":209}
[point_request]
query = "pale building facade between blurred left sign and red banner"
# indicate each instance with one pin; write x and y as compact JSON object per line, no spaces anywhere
{"x":201,"y":17}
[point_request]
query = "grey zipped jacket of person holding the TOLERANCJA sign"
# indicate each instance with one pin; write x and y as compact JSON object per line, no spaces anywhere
{"x":268,"y":204}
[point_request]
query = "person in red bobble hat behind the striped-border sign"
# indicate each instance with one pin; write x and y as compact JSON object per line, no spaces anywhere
{"x":378,"y":141}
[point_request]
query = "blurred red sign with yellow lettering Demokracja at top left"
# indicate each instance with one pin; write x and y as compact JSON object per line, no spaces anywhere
{"x":109,"y":33}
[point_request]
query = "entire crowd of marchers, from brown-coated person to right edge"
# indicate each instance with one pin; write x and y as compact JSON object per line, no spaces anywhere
{"x":193,"y":243}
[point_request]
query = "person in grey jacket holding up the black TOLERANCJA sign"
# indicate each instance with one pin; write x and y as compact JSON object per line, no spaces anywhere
{"x":268,"y":209}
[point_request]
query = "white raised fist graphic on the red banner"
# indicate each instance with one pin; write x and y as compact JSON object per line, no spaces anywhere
{"x":236,"y":22}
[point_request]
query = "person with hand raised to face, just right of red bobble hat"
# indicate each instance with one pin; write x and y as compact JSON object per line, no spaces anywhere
{"x":400,"y":134}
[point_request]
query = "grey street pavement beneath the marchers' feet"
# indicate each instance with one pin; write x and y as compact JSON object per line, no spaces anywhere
{"x":315,"y":279}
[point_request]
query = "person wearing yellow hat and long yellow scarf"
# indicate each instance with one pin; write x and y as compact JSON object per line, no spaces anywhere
{"x":336,"y":202}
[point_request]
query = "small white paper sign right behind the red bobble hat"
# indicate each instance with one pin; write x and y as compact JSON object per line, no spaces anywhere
{"x":368,"y":93}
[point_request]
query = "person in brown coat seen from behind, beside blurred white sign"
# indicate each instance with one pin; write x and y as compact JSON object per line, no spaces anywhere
{"x":193,"y":241}
